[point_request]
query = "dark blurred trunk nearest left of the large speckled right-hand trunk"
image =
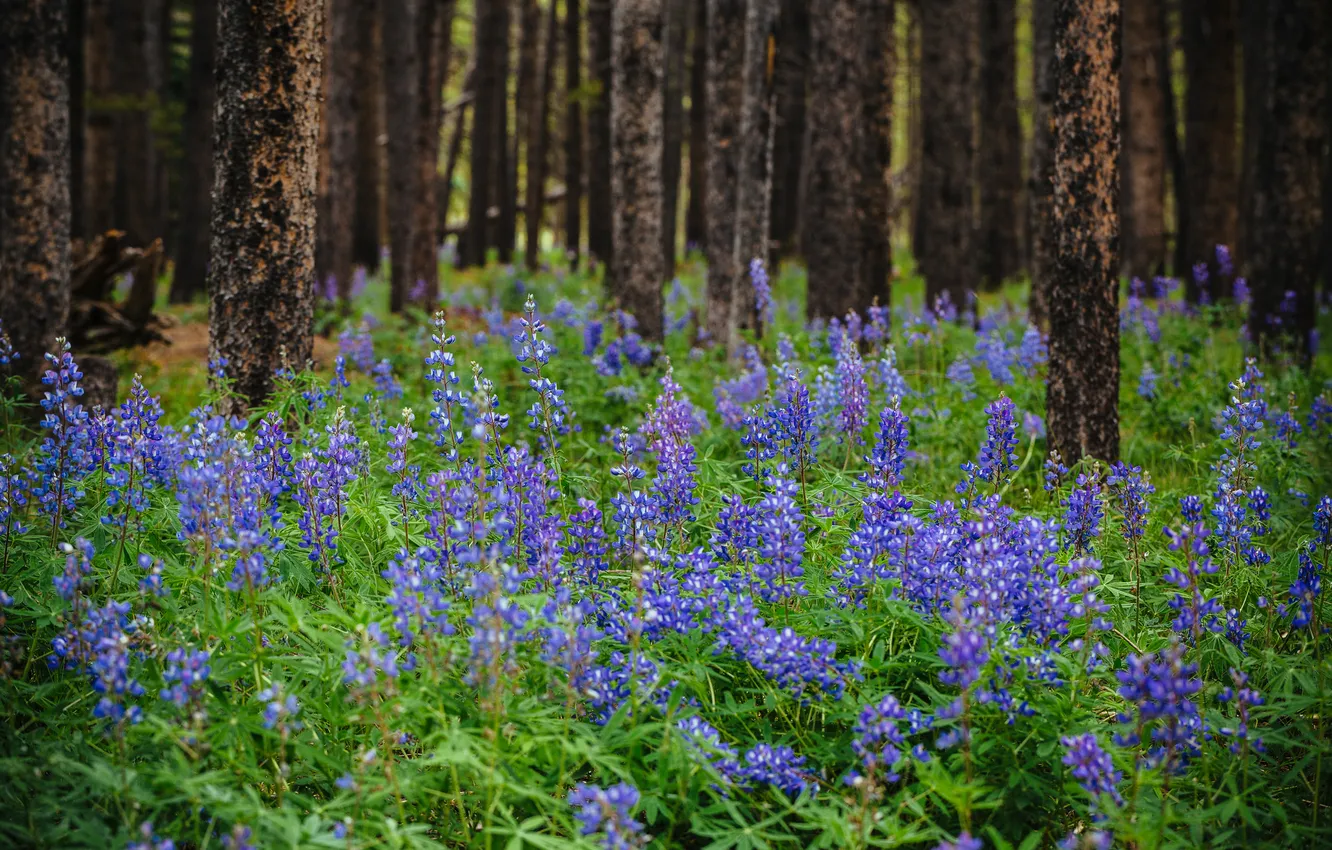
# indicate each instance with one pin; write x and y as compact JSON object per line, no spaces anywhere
{"x":1000,"y":239}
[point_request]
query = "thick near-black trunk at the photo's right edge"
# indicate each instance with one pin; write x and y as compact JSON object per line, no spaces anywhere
{"x":1290,"y":179}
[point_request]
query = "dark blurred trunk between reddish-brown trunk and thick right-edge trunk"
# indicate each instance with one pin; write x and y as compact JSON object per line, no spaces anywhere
{"x":1210,"y":115}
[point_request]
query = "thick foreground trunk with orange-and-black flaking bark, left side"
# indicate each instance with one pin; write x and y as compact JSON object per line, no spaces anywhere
{"x":262,"y":267}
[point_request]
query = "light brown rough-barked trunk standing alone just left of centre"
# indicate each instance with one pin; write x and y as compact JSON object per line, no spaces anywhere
{"x":637,"y":272}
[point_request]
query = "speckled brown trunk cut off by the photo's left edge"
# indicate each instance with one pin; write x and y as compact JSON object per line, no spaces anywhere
{"x":34,"y":178}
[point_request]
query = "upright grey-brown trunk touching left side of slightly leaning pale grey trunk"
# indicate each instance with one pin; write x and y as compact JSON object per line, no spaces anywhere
{"x":725,"y":91}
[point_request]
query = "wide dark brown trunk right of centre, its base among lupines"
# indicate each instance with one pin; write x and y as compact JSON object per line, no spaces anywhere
{"x":832,"y":224}
